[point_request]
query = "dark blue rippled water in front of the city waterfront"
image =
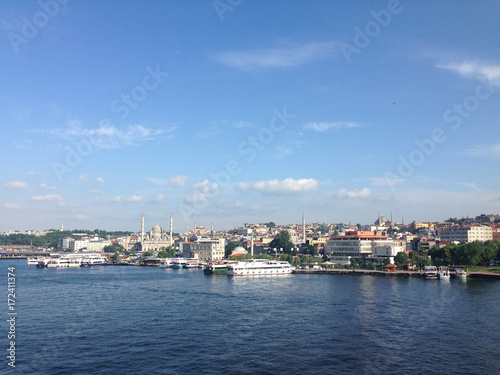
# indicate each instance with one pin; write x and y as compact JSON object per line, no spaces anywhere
{"x":135,"y":320}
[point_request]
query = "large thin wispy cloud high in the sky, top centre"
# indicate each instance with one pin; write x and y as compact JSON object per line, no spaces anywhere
{"x":285,"y":57}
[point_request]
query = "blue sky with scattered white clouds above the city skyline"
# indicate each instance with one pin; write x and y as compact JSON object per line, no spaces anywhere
{"x":235,"y":111}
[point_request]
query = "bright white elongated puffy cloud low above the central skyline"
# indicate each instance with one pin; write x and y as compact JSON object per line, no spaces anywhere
{"x":276,"y":186}
